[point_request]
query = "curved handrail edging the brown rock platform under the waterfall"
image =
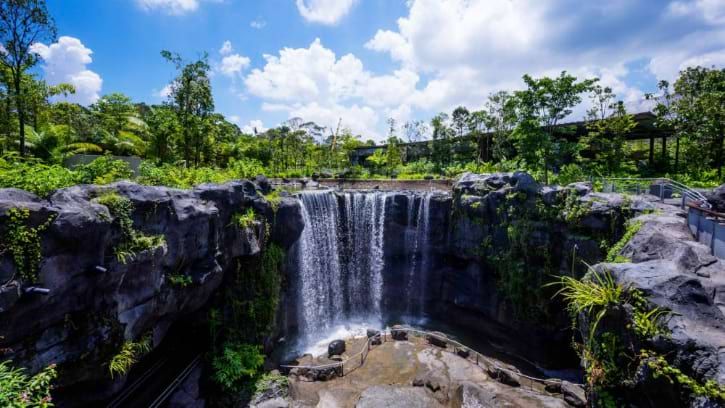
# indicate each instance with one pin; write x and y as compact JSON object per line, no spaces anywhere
{"x":456,"y":344}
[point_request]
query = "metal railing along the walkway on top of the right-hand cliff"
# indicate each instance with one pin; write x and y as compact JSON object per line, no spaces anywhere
{"x":663,"y":188}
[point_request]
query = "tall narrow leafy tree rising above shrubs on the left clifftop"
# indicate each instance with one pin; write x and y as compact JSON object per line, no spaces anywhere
{"x":192,"y":100}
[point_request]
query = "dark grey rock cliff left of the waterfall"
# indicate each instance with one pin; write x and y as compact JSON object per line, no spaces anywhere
{"x":95,"y":302}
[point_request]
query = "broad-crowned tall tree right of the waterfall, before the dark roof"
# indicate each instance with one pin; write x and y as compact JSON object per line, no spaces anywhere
{"x":541,"y":107}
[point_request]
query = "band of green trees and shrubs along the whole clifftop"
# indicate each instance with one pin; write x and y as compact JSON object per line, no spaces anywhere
{"x":183,"y":142}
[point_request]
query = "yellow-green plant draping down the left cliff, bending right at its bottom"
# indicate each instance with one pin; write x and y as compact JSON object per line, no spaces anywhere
{"x":132,"y":240}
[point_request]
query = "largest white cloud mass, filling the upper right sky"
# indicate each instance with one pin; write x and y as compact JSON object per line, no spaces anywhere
{"x":469,"y":48}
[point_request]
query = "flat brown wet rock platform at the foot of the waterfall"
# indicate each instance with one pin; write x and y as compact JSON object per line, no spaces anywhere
{"x":412,"y":373}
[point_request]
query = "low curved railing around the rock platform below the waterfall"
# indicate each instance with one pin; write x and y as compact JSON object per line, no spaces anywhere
{"x":356,"y":360}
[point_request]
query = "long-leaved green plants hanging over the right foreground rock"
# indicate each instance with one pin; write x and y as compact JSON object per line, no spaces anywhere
{"x":616,"y":326}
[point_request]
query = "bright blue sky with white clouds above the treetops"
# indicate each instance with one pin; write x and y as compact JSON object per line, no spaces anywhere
{"x":363,"y":61}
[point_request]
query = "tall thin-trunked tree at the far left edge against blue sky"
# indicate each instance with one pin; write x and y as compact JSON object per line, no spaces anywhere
{"x":22,"y":24}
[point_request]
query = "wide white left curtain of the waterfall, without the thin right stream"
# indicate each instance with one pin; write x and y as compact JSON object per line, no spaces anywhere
{"x":340,"y":258}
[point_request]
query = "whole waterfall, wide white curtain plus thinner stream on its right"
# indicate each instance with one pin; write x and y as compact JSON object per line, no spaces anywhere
{"x":340,"y":259}
